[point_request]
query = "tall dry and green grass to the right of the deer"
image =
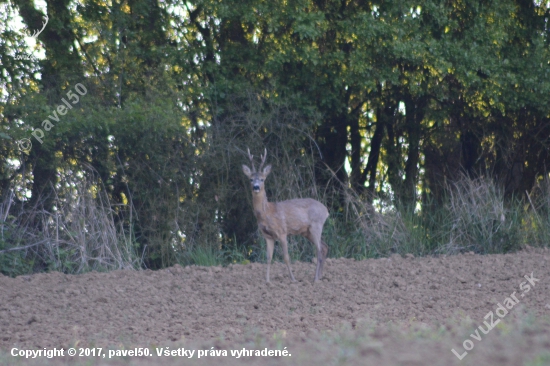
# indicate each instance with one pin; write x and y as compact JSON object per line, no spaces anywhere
{"x":475,"y":216}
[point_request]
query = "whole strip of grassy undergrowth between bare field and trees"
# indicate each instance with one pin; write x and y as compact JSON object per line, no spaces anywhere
{"x":84,"y":233}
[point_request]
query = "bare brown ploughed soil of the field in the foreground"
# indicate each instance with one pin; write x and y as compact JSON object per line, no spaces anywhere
{"x":358,"y":302}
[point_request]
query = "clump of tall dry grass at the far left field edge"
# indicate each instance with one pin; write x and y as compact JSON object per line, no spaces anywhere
{"x":81,"y":234}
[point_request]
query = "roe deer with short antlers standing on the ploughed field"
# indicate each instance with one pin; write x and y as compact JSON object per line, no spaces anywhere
{"x":276,"y":220}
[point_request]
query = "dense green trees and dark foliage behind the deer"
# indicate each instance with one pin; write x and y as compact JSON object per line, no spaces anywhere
{"x":369,"y":106}
